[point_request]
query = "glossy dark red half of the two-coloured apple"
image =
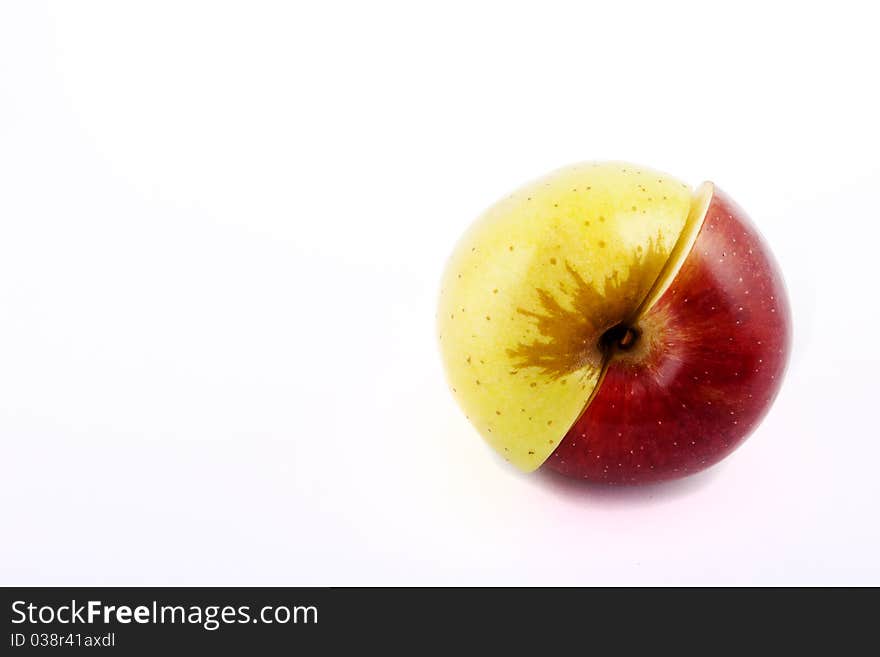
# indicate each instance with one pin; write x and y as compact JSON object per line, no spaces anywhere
{"x":715,"y":349}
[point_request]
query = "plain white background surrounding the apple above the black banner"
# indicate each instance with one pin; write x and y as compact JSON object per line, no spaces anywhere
{"x":222,"y":227}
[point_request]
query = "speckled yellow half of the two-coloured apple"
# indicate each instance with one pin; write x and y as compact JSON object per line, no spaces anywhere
{"x":534,"y":283}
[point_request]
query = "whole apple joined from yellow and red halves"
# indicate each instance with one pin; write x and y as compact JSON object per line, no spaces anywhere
{"x":612,"y":324}
